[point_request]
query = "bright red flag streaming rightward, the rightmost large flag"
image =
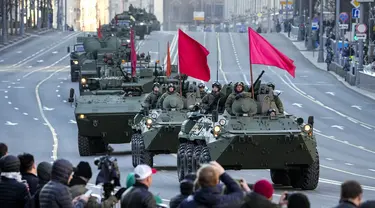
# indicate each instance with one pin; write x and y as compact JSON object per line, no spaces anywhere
{"x":262,"y":52}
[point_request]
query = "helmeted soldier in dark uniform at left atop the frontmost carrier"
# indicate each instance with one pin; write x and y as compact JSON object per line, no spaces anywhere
{"x":210,"y":101}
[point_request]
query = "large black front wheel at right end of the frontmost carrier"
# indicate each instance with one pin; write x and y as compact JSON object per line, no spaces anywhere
{"x":306,"y":178}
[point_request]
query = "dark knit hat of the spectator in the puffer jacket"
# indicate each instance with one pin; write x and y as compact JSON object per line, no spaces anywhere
{"x":61,"y":170}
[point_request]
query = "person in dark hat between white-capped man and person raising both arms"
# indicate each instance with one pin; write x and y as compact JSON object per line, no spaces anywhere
{"x":186,"y":189}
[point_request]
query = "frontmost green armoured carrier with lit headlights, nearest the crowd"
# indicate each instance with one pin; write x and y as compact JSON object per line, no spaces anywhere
{"x":255,"y":137}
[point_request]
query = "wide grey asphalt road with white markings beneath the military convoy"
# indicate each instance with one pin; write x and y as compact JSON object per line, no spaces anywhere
{"x":36,"y":117}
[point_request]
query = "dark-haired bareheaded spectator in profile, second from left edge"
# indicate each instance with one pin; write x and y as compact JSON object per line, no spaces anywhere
{"x":28,"y":171}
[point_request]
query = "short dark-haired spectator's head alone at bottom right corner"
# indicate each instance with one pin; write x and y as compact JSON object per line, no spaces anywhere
{"x":351,"y":194}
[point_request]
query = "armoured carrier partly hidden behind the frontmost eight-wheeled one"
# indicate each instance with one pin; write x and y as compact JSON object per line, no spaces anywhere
{"x":156,"y":131}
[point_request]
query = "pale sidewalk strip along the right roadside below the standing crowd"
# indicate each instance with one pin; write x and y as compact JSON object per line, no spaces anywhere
{"x":312,"y":56}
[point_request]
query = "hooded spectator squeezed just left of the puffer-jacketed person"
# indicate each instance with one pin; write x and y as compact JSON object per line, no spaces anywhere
{"x":43,"y":170}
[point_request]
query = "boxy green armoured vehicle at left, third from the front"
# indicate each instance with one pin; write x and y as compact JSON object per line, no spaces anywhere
{"x":105,"y":110}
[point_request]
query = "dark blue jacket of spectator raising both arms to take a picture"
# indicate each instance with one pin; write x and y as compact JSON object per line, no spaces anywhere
{"x":213,"y":197}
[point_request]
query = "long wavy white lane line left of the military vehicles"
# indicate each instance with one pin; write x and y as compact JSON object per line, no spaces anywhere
{"x":45,"y":119}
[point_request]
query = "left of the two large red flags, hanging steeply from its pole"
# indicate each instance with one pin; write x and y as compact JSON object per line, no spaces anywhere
{"x":192,"y":57}
